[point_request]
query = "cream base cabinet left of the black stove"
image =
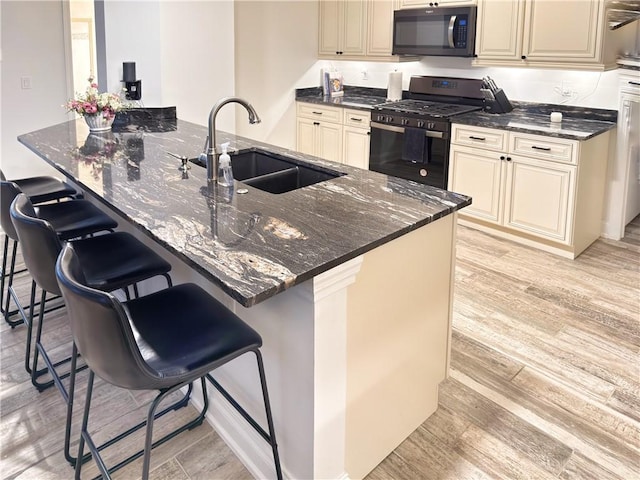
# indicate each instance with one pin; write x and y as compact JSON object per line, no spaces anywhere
{"x":333,"y":133}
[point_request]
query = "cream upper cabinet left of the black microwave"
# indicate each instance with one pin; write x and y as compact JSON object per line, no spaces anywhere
{"x":357,"y":30}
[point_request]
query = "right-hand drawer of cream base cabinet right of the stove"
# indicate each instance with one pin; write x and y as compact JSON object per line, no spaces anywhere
{"x":545,"y":148}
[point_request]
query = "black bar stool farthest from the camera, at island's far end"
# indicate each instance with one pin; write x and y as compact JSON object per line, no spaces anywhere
{"x":39,"y":189}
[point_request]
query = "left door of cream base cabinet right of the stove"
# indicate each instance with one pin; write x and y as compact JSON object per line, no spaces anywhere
{"x":479,"y":174}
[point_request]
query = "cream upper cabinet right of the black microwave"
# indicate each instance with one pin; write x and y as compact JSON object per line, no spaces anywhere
{"x":548,"y":33}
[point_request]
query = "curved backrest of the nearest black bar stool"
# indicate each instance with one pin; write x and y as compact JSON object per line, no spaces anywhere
{"x":101,"y":329}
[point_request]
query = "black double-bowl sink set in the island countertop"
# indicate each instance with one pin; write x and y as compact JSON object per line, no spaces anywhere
{"x":275,"y":173}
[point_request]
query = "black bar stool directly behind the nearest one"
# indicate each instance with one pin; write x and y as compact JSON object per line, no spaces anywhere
{"x":110,"y":262}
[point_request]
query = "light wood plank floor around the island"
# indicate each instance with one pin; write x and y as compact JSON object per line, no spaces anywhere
{"x":545,"y":381}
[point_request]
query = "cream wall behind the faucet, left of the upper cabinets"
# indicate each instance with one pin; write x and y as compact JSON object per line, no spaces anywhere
{"x":276,"y":51}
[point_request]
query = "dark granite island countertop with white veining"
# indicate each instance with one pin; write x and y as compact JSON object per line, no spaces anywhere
{"x":252,"y":245}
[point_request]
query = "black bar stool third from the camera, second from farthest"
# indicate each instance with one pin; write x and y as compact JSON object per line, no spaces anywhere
{"x":71,"y":219}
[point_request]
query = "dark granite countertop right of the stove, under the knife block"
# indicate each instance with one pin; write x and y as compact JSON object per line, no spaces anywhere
{"x":577,"y":123}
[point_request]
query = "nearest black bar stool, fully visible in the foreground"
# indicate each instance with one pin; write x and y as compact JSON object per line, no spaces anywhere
{"x":181,"y":334}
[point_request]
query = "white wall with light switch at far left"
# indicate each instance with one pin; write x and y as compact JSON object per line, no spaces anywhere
{"x":32,"y":46}
